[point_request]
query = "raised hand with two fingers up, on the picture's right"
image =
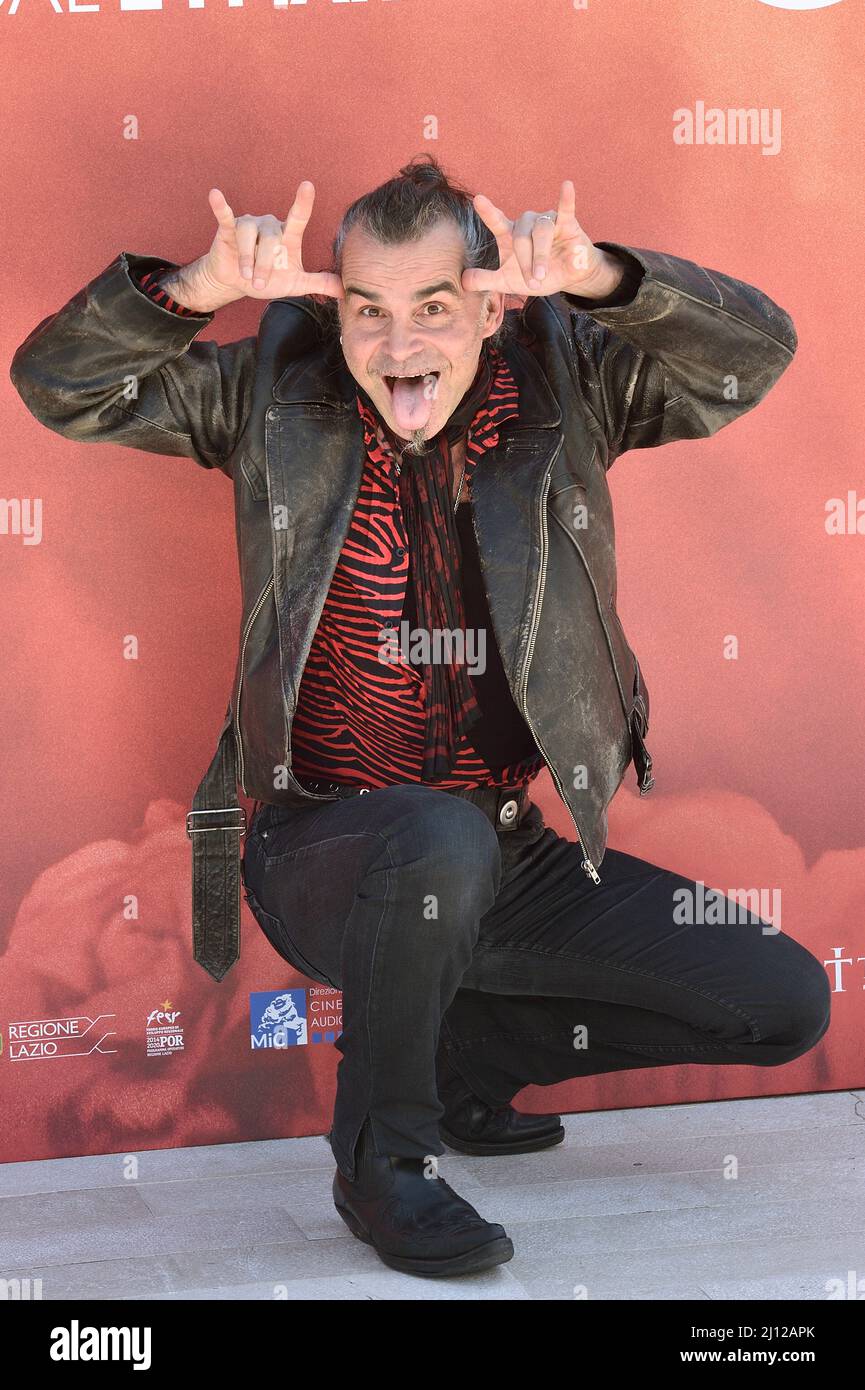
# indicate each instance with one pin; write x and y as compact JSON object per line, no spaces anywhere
{"x":544,"y":254}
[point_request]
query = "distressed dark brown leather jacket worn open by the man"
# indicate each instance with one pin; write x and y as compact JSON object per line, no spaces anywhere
{"x":688,"y":354}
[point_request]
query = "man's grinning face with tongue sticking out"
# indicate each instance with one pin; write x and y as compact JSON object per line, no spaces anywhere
{"x":411,"y":334}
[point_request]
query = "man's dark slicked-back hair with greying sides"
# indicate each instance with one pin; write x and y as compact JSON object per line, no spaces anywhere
{"x":405,"y":209}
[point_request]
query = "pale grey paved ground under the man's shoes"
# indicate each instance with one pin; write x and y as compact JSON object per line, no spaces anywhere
{"x":635,"y":1204}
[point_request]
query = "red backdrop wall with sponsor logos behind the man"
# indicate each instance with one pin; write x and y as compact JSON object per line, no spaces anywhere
{"x":120,"y":119}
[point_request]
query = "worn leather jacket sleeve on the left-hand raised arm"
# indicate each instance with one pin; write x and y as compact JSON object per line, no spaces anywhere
{"x":113,"y":366}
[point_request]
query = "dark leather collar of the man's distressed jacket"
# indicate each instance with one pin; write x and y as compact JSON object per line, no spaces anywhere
{"x":318,"y":373}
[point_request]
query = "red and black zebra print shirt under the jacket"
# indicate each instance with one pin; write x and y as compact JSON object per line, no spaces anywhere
{"x":361,"y":721}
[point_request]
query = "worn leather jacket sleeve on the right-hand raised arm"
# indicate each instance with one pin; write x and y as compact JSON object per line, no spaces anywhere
{"x":677,"y":352}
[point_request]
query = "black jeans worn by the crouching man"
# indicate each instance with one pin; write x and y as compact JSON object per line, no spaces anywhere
{"x":444,"y":932}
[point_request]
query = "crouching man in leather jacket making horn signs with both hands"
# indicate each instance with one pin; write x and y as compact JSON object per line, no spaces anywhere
{"x":410,"y":458}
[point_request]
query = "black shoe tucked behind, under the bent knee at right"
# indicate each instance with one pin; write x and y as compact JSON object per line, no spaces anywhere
{"x":471,"y":1127}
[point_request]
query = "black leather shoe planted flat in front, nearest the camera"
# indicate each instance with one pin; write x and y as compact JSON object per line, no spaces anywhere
{"x":415,"y":1224}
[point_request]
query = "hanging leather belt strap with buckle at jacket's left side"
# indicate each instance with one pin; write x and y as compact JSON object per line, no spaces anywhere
{"x":215,"y":826}
